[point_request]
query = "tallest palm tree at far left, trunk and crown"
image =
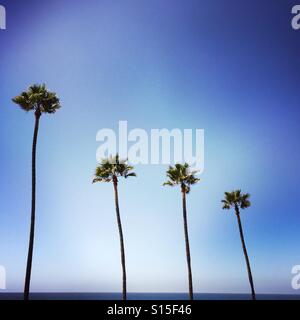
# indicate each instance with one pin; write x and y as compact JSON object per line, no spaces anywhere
{"x":38,"y":99}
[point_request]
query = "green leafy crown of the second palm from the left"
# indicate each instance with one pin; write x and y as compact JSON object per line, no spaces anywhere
{"x":112,"y":168}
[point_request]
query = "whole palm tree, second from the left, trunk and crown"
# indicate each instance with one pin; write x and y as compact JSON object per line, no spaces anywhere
{"x":110,"y":170}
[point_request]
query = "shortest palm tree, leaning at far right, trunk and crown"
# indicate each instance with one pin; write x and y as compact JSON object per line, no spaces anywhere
{"x":237,"y":200}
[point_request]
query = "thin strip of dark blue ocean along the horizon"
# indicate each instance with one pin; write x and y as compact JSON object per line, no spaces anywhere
{"x":146,"y":296}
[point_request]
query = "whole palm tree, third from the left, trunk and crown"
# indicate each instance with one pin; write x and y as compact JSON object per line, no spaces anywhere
{"x":182,"y":176}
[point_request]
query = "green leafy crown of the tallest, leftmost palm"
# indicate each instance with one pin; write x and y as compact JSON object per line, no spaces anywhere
{"x":39,"y":99}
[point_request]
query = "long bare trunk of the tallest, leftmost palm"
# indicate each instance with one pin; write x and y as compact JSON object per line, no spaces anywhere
{"x":31,"y":237}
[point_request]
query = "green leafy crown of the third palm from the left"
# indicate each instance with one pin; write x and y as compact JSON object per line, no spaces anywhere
{"x":181,"y":175}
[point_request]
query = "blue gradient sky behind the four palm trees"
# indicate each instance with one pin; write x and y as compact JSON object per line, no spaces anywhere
{"x":229,"y":67}
